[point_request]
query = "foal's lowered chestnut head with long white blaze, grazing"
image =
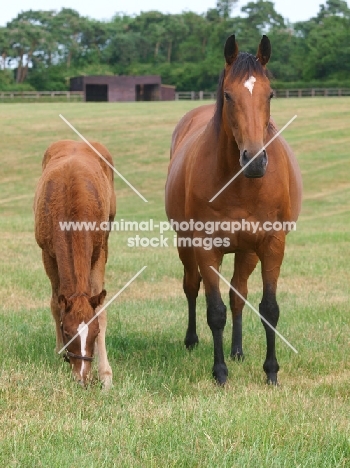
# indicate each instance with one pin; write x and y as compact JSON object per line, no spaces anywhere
{"x":76,"y":313}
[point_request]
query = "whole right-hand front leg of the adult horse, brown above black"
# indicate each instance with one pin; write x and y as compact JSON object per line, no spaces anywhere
{"x":271,"y":255}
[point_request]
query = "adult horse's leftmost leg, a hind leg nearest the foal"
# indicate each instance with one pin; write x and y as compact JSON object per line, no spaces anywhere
{"x":191,"y":284}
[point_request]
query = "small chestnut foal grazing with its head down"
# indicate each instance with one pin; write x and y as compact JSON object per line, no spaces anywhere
{"x":76,"y":185}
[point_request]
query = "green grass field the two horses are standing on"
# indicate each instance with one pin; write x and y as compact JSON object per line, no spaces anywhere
{"x":164,"y":409}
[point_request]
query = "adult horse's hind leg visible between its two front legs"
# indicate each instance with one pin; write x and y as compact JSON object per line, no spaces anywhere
{"x":244,"y":266}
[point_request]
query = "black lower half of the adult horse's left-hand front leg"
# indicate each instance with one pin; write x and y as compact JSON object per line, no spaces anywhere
{"x":216,"y":318}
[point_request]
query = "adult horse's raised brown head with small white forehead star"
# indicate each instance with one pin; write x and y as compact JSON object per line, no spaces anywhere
{"x":245,"y":101}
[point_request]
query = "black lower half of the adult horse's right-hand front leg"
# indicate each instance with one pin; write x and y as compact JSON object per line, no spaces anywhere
{"x":270,"y":311}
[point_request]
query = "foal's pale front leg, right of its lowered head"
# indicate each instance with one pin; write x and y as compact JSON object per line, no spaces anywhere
{"x":97,"y":280}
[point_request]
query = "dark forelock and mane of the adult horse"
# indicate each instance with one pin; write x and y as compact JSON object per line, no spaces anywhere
{"x":244,"y":66}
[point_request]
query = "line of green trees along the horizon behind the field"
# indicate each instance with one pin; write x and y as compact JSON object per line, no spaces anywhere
{"x":41,"y":50}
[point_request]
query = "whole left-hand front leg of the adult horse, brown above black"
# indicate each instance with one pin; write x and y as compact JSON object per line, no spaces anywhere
{"x":216,"y":309}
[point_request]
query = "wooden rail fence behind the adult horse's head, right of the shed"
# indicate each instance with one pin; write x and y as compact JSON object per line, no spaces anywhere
{"x":281,"y":93}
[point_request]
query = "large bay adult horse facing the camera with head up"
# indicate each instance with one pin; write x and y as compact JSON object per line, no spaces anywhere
{"x":210,"y":145}
